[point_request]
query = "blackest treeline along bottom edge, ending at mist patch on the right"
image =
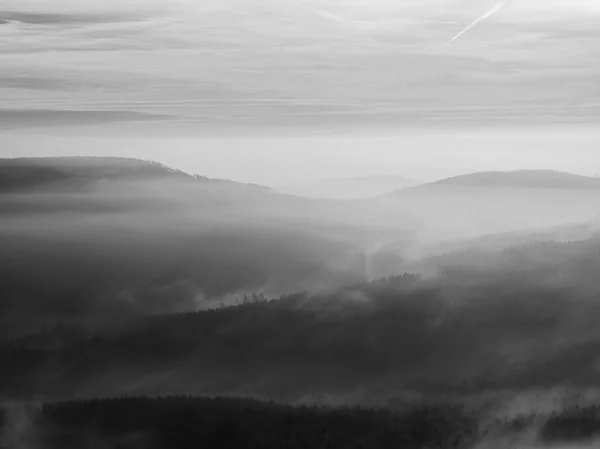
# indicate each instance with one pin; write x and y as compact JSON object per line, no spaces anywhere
{"x":185,"y":422}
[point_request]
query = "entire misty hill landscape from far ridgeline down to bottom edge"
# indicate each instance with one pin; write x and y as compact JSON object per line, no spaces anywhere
{"x":145,"y":307}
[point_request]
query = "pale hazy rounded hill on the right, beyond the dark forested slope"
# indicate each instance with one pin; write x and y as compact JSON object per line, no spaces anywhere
{"x":496,"y":202}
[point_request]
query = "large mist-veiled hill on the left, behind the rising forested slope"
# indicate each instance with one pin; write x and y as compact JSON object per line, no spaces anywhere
{"x":105,"y":238}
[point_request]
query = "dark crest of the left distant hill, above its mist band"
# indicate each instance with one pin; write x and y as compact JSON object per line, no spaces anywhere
{"x":25,"y":174}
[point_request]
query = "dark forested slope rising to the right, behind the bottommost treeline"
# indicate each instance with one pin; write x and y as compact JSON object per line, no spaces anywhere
{"x":521,"y":318}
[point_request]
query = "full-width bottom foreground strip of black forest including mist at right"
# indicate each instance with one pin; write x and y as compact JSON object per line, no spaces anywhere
{"x":236,"y":423}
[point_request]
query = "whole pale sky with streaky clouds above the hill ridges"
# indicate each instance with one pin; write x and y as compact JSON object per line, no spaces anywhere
{"x":278,"y":91}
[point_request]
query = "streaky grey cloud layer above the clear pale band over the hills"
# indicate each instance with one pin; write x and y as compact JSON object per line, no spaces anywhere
{"x":265,"y":59}
